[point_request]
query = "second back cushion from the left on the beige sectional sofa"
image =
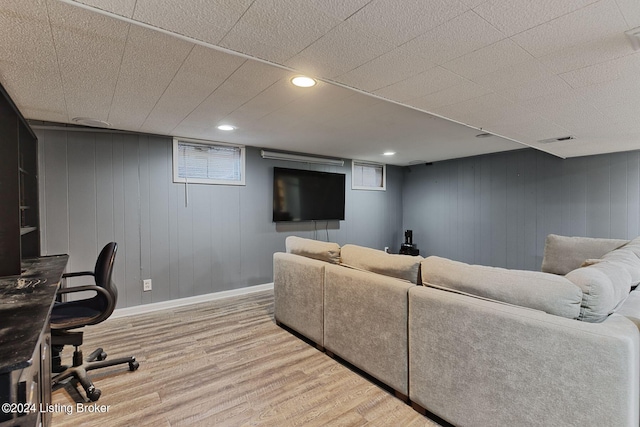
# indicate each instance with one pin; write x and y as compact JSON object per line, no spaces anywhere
{"x":399,"y":266}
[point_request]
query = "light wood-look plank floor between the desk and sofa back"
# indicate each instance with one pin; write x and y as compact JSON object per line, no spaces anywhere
{"x":224,"y":363}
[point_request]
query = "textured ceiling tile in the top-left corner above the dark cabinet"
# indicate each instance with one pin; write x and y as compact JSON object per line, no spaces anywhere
{"x":28,"y":65}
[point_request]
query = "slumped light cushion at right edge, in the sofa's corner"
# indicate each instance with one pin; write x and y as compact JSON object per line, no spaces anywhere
{"x":606,"y":283}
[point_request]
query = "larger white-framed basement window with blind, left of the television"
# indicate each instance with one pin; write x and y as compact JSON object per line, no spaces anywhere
{"x":201,"y":162}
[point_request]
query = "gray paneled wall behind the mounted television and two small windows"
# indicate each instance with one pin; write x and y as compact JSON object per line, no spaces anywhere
{"x":97,"y":187}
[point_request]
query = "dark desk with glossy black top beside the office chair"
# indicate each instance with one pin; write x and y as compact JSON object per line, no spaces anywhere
{"x":25,"y":341}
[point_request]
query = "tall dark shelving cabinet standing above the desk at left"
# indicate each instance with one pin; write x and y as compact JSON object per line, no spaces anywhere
{"x":19,"y":213}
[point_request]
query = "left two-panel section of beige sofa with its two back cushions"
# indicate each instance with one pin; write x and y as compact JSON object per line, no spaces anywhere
{"x":356,"y":314}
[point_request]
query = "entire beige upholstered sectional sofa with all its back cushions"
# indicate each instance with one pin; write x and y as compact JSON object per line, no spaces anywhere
{"x":478,"y":345}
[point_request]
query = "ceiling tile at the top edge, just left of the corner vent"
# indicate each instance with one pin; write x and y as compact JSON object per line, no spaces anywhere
{"x":593,"y":22}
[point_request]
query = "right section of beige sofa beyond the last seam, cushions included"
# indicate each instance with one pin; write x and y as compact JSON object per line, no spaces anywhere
{"x":493,"y":346}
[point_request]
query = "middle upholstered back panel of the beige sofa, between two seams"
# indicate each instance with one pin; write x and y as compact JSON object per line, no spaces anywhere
{"x":365,"y":322}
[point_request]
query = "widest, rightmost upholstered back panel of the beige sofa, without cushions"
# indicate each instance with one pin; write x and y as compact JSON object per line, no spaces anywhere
{"x":477,"y":362}
